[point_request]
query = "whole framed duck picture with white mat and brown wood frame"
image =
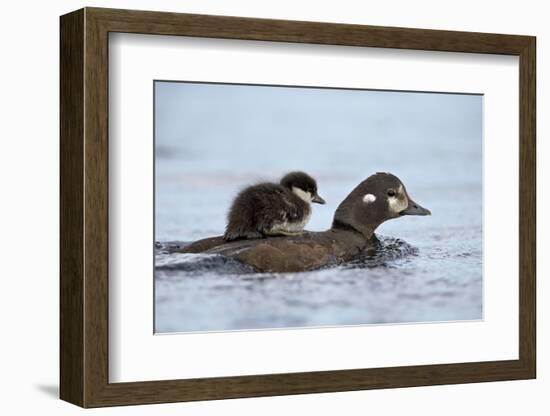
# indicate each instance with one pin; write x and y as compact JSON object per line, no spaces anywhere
{"x":255,"y":207}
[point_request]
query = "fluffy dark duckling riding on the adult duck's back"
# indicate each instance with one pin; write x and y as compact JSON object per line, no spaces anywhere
{"x":271,"y":209}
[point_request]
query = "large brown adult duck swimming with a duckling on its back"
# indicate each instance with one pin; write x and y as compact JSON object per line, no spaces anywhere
{"x":378,"y":198}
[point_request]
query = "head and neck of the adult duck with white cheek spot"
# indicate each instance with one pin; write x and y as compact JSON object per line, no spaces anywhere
{"x":378,"y":198}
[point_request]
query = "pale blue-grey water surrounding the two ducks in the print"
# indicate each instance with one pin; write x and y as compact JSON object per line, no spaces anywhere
{"x":212,"y":140}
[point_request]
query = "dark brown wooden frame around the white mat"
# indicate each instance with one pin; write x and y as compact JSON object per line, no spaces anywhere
{"x":84,"y":209}
